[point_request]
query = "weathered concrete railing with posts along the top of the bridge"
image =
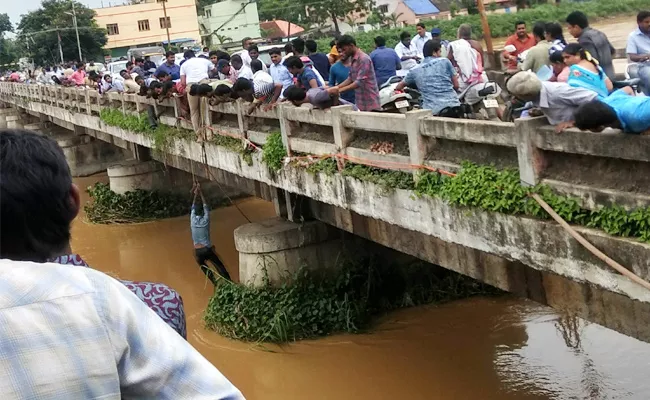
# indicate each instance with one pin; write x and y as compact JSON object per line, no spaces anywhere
{"x":597,"y":168}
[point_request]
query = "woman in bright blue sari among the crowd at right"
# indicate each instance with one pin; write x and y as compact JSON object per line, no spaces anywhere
{"x":584,"y":71}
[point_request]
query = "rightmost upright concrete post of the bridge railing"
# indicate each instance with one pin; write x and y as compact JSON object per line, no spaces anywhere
{"x":530,"y":158}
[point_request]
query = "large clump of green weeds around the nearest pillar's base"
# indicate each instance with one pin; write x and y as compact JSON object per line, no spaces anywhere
{"x":311,"y":307}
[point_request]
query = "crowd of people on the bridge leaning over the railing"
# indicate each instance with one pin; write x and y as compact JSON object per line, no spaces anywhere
{"x":444,"y":72}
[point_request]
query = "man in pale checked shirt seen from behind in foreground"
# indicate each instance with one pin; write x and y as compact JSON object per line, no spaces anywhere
{"x":68,"y":331}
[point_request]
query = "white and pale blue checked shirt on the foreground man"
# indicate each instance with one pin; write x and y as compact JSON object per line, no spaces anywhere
{"x":75,"y":333}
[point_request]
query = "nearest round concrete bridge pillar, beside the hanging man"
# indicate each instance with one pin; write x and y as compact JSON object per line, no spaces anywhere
{"x":277,"y":248}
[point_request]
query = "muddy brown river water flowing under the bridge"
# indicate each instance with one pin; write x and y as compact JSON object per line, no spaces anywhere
{"x":479,"y":348}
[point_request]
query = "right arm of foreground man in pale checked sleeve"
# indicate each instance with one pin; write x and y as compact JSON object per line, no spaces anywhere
{"x":152,"y":360}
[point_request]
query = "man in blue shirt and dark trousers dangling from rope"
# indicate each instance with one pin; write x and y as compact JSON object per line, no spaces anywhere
{"x":203,"y":248}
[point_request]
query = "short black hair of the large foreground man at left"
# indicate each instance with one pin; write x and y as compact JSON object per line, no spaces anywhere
{"x":36,"y":186}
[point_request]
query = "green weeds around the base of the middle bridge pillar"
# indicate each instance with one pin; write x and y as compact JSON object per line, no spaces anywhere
{"x":108,"y":207}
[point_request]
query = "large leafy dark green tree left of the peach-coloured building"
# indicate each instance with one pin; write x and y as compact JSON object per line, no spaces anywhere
{"x":38,"y":32}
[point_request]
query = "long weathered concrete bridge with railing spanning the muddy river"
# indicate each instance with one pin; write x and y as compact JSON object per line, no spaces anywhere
{"x":532,"y":258}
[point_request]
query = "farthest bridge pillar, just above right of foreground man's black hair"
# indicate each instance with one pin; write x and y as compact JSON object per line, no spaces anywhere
{"x":86,"y":155}
